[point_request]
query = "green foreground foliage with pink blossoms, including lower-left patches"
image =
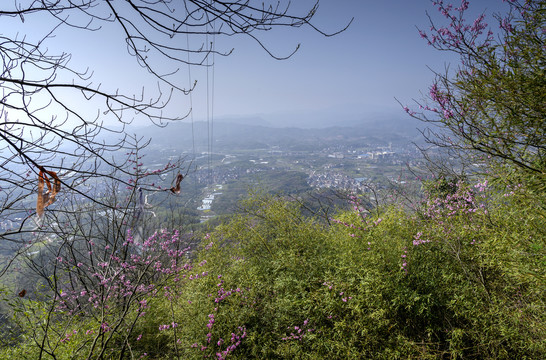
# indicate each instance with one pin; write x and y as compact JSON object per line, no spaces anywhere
{"x":463,"y":278}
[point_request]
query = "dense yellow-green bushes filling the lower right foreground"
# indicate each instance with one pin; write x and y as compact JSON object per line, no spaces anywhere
{"x":467,"y":285}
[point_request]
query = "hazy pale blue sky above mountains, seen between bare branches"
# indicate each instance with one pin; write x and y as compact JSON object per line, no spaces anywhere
{"x":354,"y":76}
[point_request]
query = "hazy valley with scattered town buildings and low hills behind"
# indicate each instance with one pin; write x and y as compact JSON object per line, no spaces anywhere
{"x":281,"y":161}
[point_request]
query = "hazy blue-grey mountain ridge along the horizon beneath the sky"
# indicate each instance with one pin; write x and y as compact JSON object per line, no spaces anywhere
{"x":231,"y":134}
